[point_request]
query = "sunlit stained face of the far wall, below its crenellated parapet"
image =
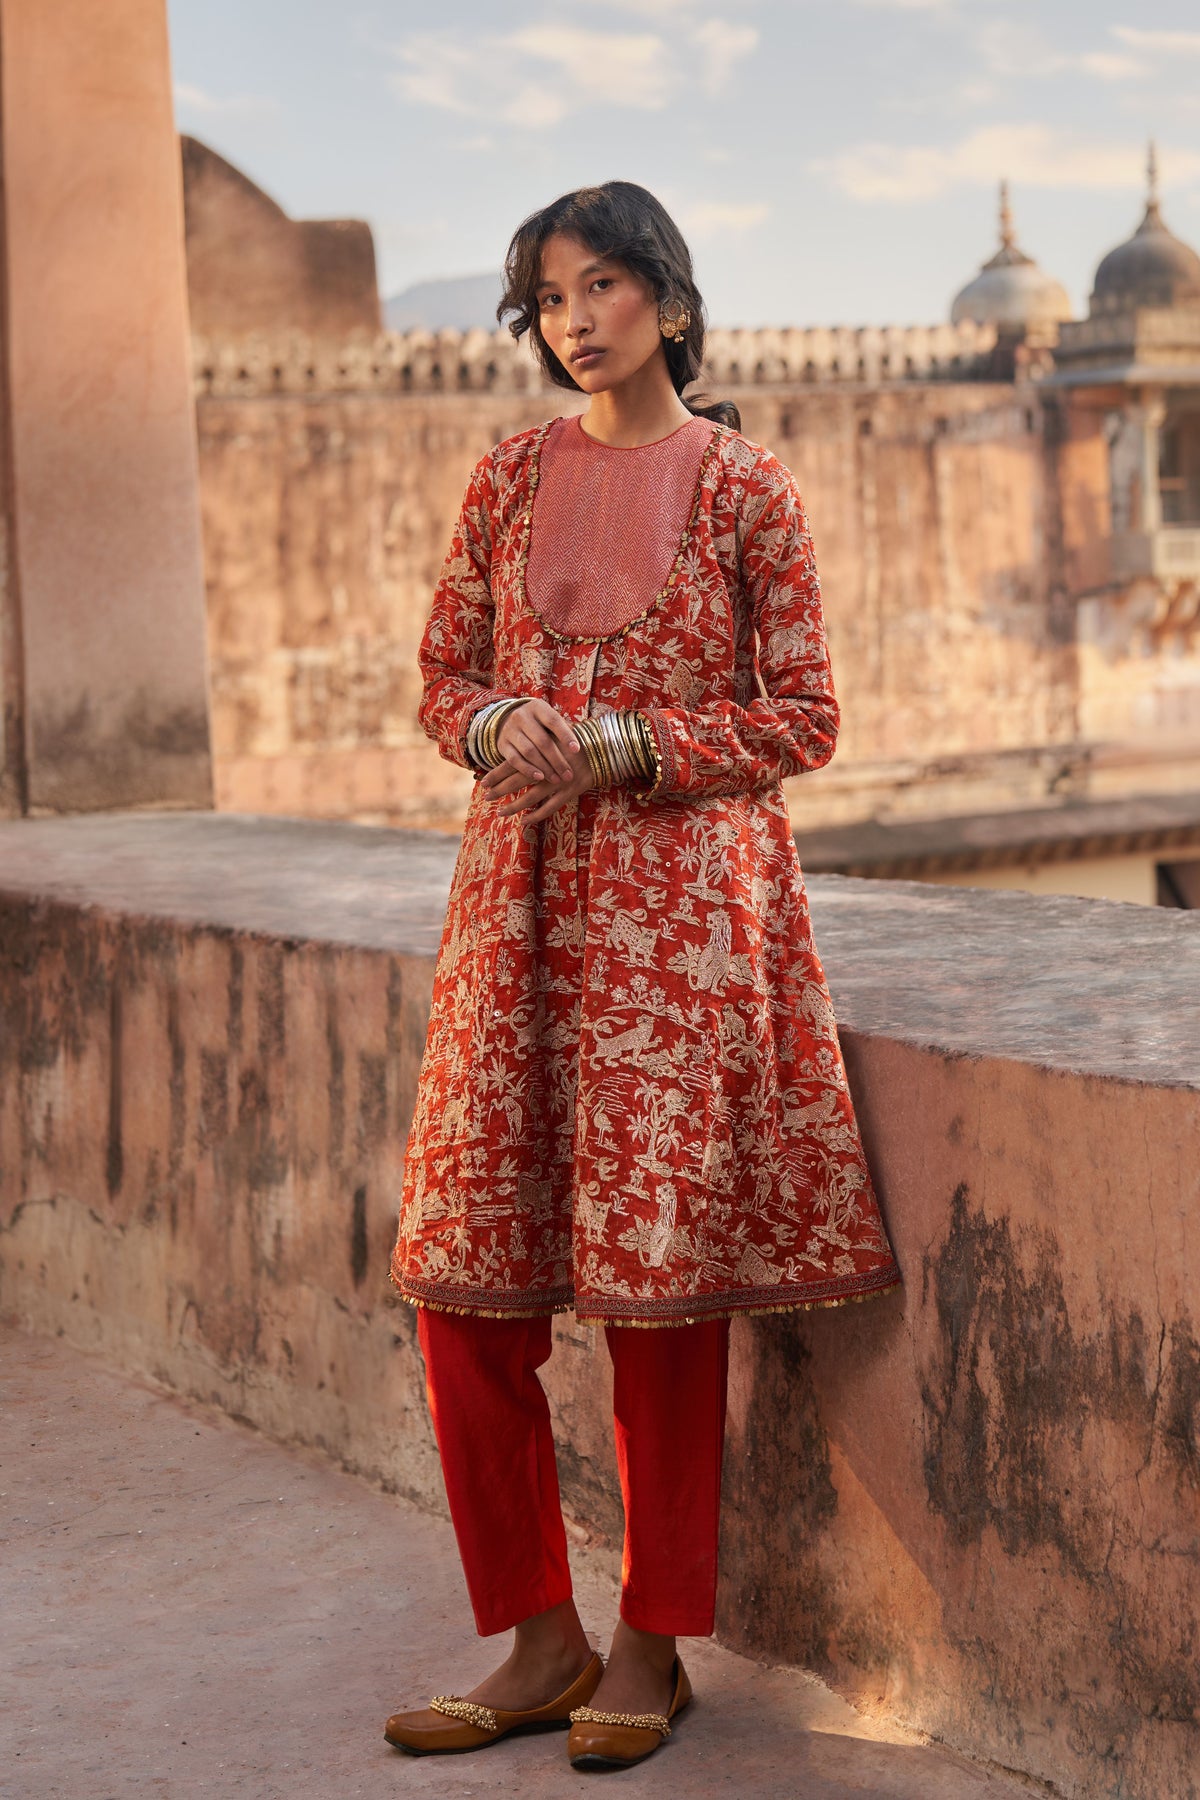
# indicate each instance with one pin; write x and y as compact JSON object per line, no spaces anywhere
{"x":327,"y":521}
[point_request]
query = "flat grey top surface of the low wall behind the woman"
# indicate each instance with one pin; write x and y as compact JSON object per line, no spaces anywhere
{"x":1079,"y":985}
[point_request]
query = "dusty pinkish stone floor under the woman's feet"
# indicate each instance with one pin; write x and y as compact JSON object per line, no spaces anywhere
{"x":193,"y":1610}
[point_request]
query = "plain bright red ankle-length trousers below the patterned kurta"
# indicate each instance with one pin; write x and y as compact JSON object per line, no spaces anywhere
{"x":497,"y":1452}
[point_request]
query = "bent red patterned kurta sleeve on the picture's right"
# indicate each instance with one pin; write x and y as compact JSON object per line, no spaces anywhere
{"x":793,"y":728}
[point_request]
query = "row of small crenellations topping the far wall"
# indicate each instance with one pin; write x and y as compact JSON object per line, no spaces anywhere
{"x":452,"y":363}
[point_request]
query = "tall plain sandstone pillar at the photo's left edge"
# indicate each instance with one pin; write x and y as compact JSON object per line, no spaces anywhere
{"x":102,"y":588}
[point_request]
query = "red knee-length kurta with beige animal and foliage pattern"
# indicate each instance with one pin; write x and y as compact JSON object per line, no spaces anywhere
{"x":632,"y":1097}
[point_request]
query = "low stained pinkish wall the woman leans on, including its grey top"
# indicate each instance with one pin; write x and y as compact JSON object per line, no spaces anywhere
{"x":972,"y":1504}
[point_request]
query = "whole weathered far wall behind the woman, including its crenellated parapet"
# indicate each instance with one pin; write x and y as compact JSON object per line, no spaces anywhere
{"x":985,"y":658}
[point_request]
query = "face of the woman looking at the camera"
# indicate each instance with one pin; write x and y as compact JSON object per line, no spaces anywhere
{"x":600,"y":319}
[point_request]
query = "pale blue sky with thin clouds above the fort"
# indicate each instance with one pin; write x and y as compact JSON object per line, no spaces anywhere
{"x":830,"y":161}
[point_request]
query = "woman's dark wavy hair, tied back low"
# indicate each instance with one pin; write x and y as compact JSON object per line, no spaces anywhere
{"x":625,"y":222}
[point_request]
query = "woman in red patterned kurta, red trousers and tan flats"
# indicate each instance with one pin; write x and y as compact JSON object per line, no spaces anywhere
{"x":632,"y":1099}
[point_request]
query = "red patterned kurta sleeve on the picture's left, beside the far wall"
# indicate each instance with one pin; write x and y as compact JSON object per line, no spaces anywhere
{"x":456,"y":654}
